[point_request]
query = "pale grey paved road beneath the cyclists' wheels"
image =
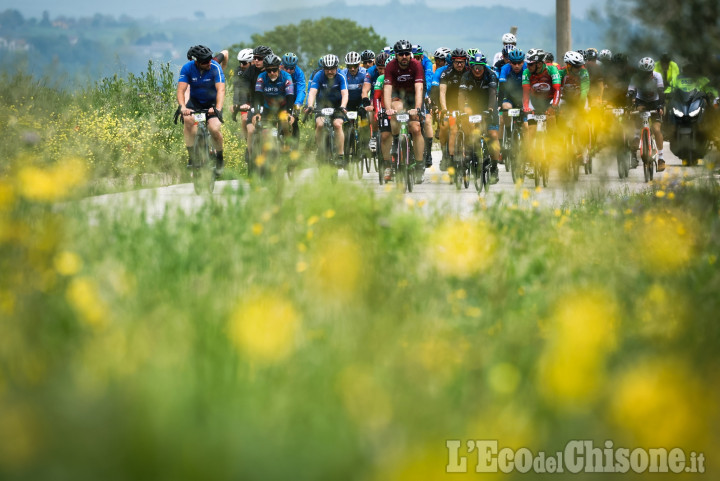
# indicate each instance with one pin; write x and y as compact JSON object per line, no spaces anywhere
{"x":435,"y":192}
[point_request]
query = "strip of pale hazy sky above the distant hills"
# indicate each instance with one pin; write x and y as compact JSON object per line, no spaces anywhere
{"x":164,"y":9}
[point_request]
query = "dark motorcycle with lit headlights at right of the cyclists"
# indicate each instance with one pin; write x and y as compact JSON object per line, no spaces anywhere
{"x":688,"y":140}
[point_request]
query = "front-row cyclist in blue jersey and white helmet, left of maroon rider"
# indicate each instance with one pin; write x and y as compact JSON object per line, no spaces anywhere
{"x":328,"y":89}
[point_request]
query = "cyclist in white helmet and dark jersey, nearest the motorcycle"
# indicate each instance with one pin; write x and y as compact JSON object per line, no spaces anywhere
{"x":647,"y":91}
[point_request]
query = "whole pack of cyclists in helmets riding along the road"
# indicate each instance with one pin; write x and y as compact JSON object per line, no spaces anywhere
{"x":440,"y":93}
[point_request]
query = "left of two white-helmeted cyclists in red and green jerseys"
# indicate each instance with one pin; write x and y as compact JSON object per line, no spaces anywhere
{"x":541,"y":90}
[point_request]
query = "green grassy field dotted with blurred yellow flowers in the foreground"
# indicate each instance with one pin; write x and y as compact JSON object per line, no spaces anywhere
{"x":335,"y":334}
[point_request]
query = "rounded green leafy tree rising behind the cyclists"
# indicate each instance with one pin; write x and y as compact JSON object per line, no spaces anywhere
{"x":311,"y":39}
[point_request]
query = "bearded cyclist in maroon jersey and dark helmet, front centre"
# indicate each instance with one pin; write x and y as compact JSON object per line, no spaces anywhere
{"x":403,"y":90}
